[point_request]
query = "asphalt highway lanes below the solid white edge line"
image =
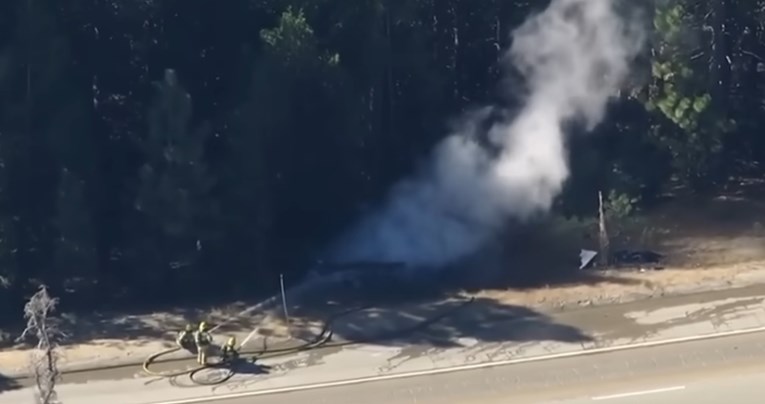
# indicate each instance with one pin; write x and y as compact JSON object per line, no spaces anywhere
{"x":721,"y":370}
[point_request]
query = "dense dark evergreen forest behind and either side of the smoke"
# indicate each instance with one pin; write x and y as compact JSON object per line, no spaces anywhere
{"x":192,"y":145}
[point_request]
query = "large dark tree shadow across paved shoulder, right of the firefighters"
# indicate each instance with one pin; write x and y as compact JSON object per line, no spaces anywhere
{"x":445,"y":322}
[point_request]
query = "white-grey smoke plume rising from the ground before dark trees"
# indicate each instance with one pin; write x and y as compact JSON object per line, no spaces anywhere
{"x":574,"y":55}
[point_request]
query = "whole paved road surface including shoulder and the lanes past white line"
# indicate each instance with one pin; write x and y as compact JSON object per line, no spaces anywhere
{"x":676,"y":373}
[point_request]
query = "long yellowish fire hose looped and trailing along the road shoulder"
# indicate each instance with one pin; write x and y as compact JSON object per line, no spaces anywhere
{"x":322,"y":340}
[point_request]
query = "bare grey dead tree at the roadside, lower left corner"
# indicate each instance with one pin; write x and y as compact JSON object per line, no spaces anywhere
{"x":43,"y":359}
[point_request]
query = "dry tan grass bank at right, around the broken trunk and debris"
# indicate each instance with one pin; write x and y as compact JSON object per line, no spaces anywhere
{"x":707,"y":243}
